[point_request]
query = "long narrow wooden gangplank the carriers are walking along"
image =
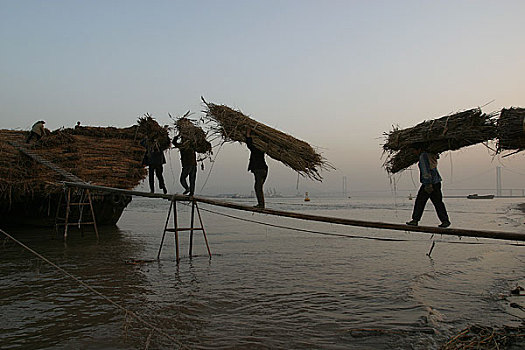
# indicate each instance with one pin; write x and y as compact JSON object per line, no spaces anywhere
{"x":510,"y":236}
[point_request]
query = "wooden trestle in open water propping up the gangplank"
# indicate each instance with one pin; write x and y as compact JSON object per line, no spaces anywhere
{"x":176,"y":229}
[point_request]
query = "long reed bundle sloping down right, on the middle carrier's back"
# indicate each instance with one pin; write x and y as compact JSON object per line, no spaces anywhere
{"x":294,"y":153}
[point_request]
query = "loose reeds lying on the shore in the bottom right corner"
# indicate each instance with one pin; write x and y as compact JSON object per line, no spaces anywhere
{"x":482,"y":337}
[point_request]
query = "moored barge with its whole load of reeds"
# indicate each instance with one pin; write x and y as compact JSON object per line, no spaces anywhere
{"x":30,"y":191}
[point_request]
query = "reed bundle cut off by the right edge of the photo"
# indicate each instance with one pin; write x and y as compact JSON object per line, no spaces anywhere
{"x":511,"y":129}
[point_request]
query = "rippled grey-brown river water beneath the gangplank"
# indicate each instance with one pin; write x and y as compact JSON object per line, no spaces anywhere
{"x":265,"y":287}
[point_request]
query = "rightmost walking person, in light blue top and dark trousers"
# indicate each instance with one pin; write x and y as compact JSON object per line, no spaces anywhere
{"x":430,"y":187}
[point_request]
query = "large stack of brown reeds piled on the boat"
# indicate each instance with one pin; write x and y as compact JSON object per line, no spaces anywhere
{"x":103,"y":156}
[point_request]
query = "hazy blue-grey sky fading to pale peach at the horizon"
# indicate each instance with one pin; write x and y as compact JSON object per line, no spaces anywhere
{"x":336,"y":74}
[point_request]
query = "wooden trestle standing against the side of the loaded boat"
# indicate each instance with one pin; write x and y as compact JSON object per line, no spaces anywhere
{"x":83,"y":200}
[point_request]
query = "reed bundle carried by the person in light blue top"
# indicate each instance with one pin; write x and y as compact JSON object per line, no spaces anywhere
{"x":447,"y":133}
